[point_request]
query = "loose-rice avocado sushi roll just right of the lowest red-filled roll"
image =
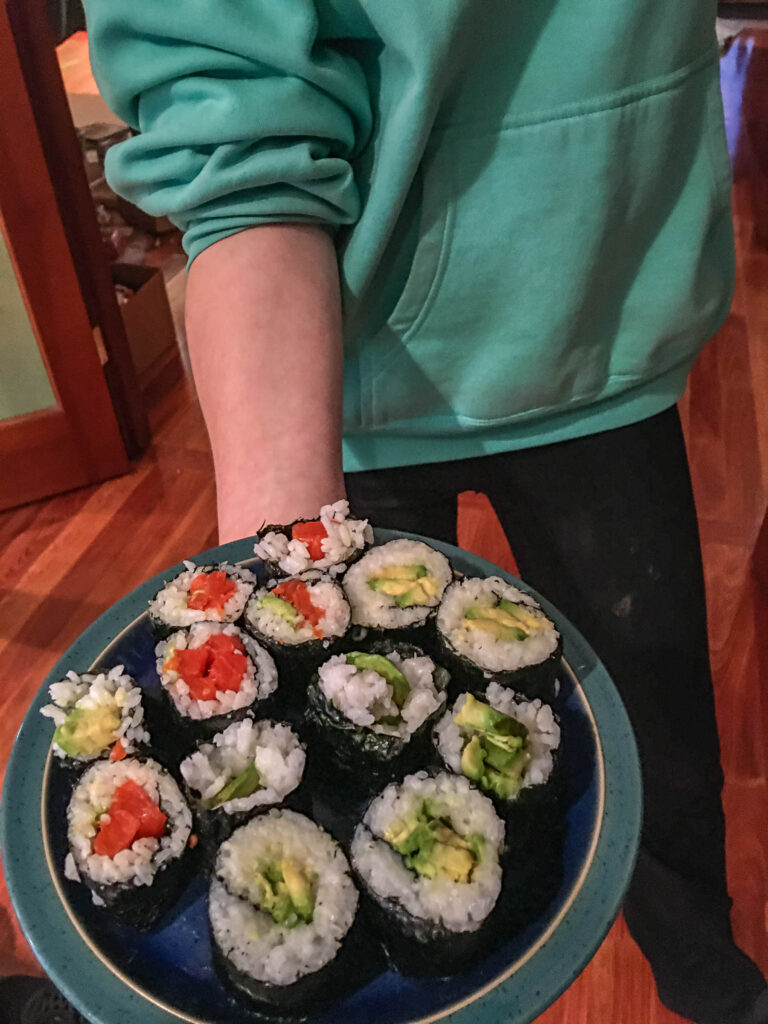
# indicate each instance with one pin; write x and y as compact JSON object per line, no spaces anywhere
{"x":246,"y":769}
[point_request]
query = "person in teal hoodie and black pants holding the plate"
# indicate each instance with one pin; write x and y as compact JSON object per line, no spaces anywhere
{"x":449,"y":245}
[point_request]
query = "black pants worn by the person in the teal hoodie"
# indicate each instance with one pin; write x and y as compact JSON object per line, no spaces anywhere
{"x":606,"y":528}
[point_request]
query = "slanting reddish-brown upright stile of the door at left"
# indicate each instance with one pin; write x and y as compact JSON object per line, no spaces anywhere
{"x":37,"y":240}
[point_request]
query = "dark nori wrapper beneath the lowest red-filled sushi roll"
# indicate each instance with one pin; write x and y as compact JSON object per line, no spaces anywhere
{"x":143,"y":907}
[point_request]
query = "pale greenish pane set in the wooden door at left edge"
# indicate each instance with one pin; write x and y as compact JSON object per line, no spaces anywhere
{"x":24,"y":382}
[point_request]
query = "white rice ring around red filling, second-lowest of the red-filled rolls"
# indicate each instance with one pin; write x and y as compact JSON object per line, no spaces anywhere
{"x":260,"y":679}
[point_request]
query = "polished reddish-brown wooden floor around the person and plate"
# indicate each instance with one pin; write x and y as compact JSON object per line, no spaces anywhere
{"x":64,"y":562}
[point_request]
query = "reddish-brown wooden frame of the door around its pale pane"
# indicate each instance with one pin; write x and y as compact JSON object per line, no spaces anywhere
{"x":78,"y":441}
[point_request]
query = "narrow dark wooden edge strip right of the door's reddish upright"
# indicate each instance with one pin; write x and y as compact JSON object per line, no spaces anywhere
{"x":36,"y":48}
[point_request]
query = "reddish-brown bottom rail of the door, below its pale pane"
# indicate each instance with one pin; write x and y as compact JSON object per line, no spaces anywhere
{"x":38,"y":457}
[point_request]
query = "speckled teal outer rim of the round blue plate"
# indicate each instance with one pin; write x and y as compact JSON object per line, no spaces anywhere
{"x":495,"y":995}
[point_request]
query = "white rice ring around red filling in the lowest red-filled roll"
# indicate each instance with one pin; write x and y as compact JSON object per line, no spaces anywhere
{"x":92,"y":800}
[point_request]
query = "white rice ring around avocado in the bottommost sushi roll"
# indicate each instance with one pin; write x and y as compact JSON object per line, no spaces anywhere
{"x":249,"y":937}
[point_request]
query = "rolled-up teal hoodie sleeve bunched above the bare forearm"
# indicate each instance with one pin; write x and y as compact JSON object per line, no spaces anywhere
{"x":245,"y":115}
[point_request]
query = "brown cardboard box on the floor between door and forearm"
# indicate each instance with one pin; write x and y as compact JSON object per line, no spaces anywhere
{"x":147,"y":316}
